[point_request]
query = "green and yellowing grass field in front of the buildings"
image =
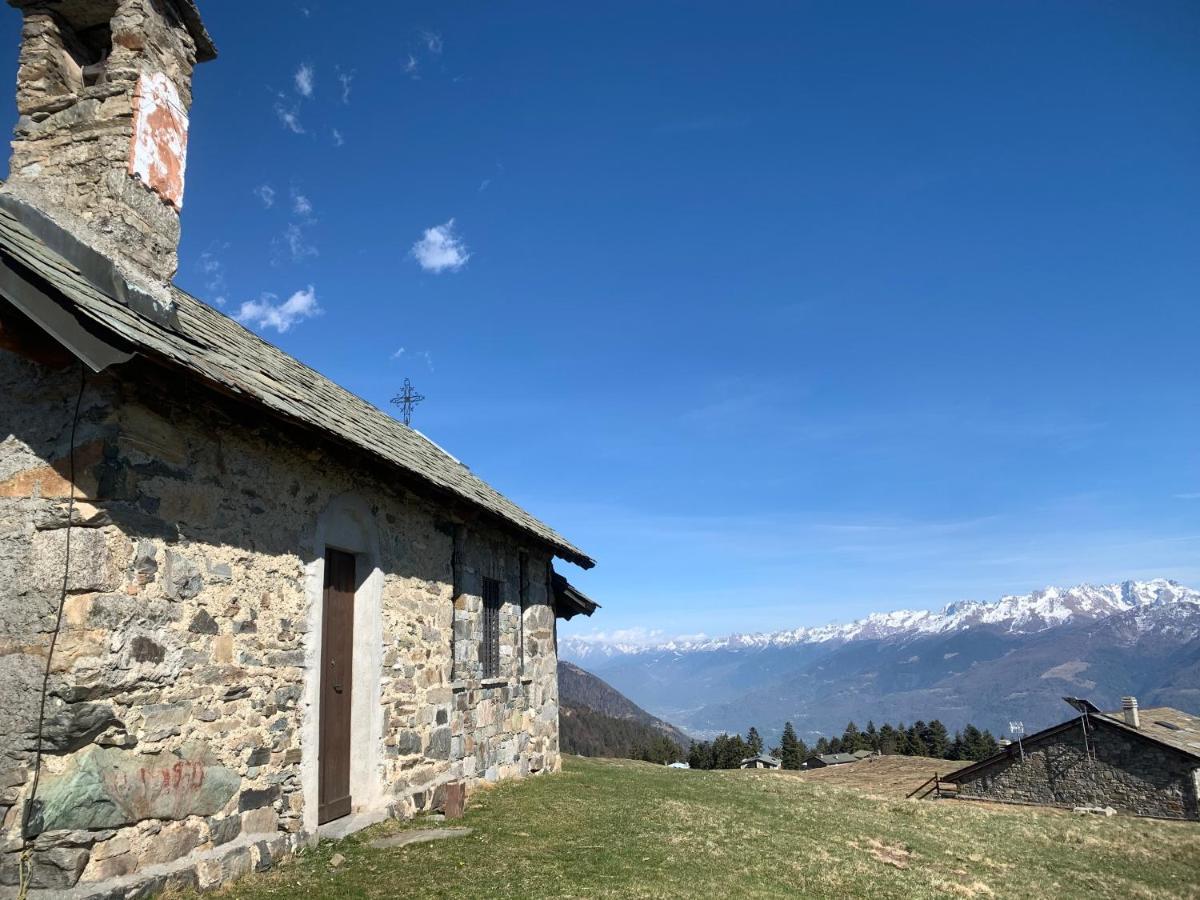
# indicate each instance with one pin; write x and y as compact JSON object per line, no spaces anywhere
{"x":610,"y":829}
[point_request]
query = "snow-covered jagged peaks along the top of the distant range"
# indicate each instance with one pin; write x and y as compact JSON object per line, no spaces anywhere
{"x":1016,"y":615}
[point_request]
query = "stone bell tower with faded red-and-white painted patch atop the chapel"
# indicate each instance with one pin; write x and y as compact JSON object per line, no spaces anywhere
{"x":104,"y":92}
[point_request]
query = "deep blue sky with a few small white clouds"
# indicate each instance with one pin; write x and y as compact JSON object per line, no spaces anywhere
{"x":787,"y":313}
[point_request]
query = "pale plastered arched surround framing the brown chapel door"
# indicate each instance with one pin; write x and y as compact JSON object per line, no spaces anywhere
{"x":347,"y":525}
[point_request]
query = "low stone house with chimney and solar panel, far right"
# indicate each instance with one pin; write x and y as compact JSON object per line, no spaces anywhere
{"x":1144,"y":763}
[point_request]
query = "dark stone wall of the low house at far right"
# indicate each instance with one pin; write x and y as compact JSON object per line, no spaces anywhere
{"x":1131,"y":775}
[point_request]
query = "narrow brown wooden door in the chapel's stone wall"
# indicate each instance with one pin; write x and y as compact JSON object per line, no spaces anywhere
{"x":337,"y":681}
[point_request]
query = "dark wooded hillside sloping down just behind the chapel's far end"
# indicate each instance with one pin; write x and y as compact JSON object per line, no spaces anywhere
{"x":598,"y":721}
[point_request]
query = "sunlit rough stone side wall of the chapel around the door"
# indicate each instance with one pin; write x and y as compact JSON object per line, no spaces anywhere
{"x":182,"y":717}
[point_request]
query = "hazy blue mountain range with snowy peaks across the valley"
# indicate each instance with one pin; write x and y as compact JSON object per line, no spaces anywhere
{"x":982,"y":663}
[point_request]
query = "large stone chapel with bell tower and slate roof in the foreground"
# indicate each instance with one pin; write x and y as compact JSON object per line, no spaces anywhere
{"x":239,"y":605}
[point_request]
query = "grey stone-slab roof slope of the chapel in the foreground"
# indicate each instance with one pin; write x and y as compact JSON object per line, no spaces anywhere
{"x":217,"y":350}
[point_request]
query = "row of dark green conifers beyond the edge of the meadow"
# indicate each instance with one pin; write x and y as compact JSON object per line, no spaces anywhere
{"x":919,"y":740}
